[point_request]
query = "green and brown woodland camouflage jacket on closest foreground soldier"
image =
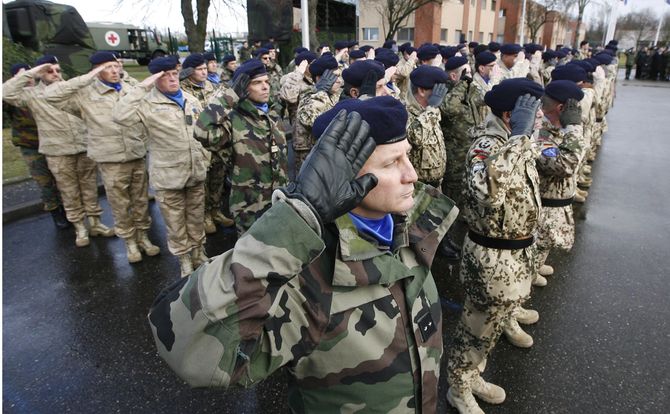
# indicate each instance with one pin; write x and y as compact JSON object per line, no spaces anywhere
{"x":358,"y":327}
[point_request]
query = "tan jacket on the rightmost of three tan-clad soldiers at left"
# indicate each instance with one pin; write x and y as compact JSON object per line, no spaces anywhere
{"x":176,"y":159}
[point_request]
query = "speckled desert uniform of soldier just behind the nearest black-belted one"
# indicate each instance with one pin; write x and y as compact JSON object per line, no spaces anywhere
{"x":557,"y":163}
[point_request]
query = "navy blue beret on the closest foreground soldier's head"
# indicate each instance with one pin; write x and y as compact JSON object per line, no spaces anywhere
{"x":386,"y":116}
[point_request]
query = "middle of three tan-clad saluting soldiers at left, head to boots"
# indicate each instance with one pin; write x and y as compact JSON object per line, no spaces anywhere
{"x":119,"y":151}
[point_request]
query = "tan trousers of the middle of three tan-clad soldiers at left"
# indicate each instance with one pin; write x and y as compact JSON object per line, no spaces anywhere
{"x":127,"y":188}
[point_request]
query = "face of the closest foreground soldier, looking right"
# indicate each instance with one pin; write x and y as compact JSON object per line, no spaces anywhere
{"x":396,"y":178}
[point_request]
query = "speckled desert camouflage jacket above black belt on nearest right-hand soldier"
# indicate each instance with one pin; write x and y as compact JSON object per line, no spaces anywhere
{"x":502,"y":194}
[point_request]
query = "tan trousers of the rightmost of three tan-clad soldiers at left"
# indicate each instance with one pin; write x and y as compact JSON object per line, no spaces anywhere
{"x":183,"y":212}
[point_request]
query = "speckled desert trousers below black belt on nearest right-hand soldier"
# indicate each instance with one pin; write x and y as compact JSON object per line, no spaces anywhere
{"x":496,"y":282}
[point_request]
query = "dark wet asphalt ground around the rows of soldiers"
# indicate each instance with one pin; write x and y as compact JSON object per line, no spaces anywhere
{"x":75,"y":336}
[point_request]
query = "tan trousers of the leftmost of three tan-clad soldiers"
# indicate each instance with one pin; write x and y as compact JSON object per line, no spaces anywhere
{"x":76,"y":179}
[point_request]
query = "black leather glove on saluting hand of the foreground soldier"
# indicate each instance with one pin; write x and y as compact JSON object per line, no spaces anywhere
{"x":327,"y":179}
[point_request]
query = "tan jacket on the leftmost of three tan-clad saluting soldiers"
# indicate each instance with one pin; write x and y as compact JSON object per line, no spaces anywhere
{"x":60,"y":133}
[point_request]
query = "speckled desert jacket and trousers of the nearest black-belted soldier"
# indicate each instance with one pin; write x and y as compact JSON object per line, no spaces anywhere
{"x":502,"y":201}
